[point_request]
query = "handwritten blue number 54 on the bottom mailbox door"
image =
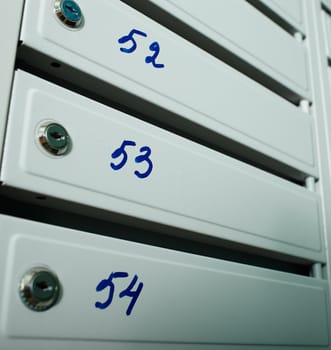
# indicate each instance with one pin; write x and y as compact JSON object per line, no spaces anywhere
{"x":127,"y":292}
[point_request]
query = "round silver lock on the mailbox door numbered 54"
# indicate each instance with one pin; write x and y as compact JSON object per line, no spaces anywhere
{"x":39,"y":289}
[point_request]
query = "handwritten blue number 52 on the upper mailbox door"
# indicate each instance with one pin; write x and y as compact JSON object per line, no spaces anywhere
{"x":154,"y":47}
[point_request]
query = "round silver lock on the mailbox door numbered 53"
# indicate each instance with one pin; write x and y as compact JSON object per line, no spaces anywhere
{"x":54,"y":138}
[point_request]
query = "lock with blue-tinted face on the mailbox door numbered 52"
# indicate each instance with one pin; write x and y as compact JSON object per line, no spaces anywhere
{"x":69,"y":13}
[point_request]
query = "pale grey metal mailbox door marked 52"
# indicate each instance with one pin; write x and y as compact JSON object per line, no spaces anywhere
{"x":192,"y":84}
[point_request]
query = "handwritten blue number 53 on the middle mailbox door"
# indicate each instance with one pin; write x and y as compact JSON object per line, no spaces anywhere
{"x":144,"y":156}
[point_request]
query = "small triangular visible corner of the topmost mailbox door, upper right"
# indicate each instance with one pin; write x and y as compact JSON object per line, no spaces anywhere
{"x":290,"y":10}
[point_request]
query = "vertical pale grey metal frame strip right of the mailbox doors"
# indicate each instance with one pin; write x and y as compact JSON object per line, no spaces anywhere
{"x":318,"y":49}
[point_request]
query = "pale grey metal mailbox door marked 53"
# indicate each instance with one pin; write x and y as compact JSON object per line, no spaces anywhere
{"x":190,"y":186}
